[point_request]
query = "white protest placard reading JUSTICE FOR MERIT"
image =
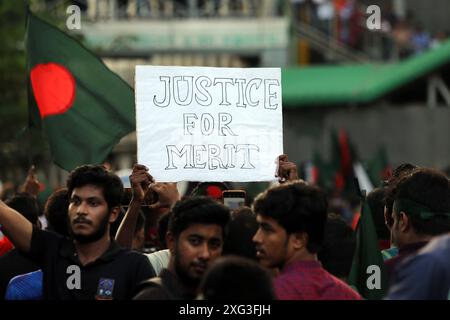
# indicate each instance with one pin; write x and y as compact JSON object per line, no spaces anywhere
{"x":209,"y":124}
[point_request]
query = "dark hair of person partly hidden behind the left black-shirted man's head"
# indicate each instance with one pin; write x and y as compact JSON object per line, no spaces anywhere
{"x":55,"y":211}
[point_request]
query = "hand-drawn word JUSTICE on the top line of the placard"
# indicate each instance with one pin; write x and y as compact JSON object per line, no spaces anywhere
{"x":185,"y":90}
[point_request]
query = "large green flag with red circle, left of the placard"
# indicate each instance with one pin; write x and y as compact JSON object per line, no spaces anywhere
{"x":83,"y":107}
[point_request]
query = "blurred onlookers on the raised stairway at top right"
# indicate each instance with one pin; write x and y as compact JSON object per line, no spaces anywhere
{"x":345,"y":22}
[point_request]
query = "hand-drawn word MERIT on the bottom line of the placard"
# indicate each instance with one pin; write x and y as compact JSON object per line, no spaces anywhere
{"x":211,"y":155}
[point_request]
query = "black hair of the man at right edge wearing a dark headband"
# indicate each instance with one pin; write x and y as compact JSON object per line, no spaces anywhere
{"x":425,"y":188}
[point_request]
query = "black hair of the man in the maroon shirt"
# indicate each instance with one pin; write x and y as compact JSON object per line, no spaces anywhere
{"x":297,"y":207}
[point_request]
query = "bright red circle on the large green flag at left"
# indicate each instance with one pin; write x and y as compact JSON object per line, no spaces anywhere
{"x":53,"y":88}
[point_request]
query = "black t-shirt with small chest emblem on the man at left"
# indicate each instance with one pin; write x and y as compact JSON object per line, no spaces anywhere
{"x":114,"y":275}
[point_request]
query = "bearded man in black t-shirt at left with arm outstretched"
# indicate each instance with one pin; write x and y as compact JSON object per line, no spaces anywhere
{"x":90,"y":265}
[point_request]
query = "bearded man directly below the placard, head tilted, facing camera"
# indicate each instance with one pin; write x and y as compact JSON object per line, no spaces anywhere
{"x":195,"y":239}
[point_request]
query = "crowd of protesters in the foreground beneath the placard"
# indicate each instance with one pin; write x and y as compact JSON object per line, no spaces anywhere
{"x":292,"y":243}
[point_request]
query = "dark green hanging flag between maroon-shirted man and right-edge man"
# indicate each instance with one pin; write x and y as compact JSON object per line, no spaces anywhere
{"x":367,"y":274}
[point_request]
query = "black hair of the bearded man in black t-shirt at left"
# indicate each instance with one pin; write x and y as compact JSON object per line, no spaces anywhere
{"x":97,"y":175}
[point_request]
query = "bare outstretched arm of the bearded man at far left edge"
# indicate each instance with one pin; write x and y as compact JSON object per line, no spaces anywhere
{"x":16,"y":227}
